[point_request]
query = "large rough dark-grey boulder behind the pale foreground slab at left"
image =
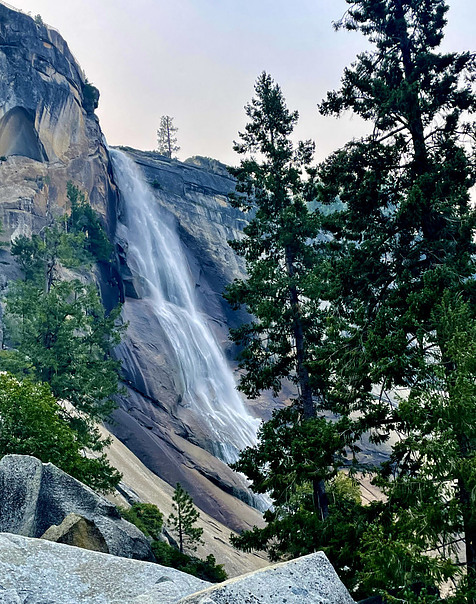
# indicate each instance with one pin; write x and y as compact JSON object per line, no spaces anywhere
{"x":36,"y":496}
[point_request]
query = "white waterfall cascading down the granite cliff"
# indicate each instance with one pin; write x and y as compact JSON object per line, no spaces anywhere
{"x":155,"y":252}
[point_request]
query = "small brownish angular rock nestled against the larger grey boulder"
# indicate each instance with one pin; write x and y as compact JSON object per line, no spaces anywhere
{"x":78,"y":531}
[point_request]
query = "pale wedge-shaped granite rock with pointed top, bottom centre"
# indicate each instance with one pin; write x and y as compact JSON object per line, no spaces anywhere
{"x":310,"y":580}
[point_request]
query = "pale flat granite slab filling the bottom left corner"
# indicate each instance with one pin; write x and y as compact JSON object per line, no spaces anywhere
{"x":35,"y":571}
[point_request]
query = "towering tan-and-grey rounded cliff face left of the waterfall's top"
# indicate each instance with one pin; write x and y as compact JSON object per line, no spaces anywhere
{"x":49,"y":134}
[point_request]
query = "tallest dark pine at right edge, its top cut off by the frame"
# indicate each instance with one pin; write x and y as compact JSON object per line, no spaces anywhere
{"x":401,"y":273}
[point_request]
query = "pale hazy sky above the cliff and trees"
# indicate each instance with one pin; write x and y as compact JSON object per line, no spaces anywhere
{"x":197,"y":60}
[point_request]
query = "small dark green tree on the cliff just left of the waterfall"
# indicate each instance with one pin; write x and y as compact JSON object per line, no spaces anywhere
{"x":83,"y":220}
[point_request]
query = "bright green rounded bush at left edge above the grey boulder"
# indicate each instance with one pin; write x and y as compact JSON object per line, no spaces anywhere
{"x":33,"y":423}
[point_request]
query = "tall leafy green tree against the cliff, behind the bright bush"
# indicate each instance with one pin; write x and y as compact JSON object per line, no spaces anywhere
{"x":59,"y":334}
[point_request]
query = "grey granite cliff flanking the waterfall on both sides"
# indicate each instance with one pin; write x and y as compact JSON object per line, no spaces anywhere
{"x":49,"y":135}
